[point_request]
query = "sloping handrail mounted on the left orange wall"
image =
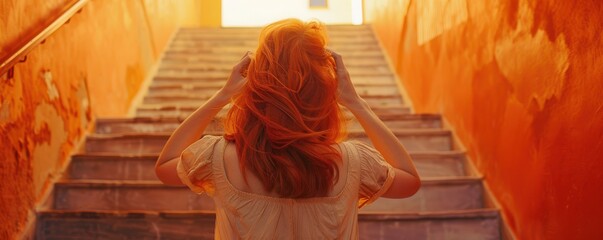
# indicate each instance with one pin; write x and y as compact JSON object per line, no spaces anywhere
{"x":7,"y":63}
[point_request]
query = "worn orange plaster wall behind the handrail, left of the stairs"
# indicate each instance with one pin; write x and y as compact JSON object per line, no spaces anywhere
{"x":91,"y":67}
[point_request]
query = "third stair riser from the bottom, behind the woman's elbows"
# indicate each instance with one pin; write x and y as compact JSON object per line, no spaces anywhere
{"x":108,"y":168}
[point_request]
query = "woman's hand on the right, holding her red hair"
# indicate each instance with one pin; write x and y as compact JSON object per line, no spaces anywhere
{"x":347,"y":95}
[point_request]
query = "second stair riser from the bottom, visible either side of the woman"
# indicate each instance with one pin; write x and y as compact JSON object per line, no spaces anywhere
{"x":442,"y":194}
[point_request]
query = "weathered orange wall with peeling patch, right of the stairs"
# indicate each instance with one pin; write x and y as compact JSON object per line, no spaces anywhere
{"x":521,"y":83}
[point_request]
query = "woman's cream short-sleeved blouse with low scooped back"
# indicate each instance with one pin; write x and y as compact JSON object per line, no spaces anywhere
{"x":208,"y":166}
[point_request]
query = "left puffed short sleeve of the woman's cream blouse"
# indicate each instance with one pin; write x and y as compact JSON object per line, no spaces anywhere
{"x":195,"y":165}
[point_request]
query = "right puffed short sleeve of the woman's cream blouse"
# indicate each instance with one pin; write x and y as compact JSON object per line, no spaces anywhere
{"x":376,"y":175}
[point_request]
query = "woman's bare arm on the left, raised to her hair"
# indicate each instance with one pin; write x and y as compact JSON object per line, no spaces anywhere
{"x":194,"y":125}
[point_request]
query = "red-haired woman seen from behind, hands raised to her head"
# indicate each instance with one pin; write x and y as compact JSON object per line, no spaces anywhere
{"x":282,"y":170}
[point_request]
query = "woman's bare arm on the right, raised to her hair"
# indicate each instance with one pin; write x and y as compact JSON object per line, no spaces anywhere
{"x":406,"y":181}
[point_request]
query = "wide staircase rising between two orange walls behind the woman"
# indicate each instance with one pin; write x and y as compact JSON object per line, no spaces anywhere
{"x":111,"y":192}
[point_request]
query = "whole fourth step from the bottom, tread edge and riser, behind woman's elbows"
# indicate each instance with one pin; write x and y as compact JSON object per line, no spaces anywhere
{"x":413,"y":140}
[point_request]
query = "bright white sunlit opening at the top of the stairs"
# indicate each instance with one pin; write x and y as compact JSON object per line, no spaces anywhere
{"x":246,"y":13}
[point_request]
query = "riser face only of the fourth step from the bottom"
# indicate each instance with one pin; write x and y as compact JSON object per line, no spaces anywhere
{"x":151,"y":145}
